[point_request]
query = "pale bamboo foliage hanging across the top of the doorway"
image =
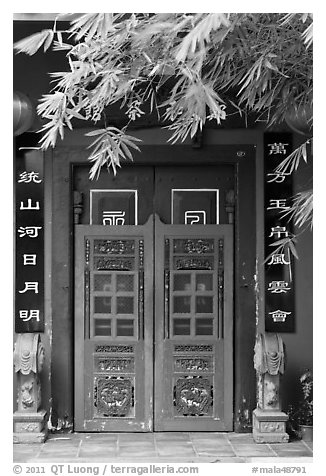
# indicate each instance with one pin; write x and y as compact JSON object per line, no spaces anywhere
{"x":258,"y":62}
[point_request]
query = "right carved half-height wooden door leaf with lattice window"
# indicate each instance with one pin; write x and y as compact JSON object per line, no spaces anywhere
{"x":193,"y":327}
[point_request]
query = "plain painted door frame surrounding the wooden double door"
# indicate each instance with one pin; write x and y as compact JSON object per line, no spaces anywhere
{"x":243,"y":158}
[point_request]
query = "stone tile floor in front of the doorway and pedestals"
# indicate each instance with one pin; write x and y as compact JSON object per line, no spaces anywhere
{"x":173,"y":447}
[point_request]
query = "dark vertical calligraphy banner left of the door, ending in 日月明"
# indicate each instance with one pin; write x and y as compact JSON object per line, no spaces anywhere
{"x":29,"y":279}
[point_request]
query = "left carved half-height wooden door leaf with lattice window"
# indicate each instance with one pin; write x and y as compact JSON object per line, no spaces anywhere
{"x":113,"y":328}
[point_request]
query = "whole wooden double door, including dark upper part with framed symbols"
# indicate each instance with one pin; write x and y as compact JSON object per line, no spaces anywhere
{"x":154,"y":300}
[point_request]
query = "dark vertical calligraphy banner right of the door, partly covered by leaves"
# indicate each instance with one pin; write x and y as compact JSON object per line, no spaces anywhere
{"x":279,"y":284}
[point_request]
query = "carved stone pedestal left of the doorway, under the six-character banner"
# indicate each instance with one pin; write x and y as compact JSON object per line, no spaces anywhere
{"x":29,"y":357}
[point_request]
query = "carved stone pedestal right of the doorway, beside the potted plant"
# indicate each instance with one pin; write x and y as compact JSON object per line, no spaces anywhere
{"x":268,"y":419}
